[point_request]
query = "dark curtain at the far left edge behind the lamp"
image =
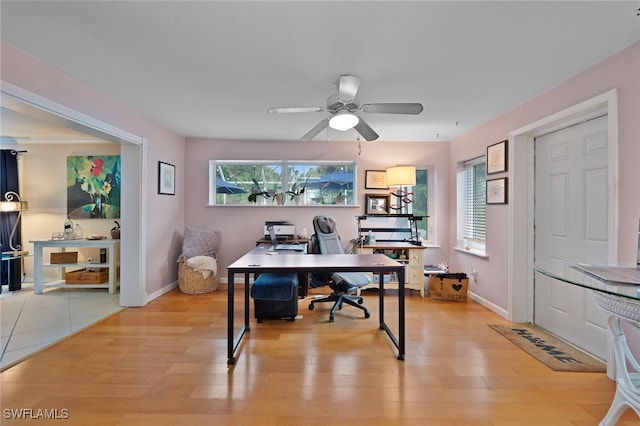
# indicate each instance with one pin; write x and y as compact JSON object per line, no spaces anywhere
{"x":8,"y":182}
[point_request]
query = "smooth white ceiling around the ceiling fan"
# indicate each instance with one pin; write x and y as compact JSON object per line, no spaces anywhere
{"x":212,"y":69}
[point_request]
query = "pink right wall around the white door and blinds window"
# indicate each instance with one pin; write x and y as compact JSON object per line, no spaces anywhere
{"x":619,"y":72}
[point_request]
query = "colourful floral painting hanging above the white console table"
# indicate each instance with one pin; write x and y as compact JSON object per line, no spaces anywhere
{"x":93,"y":187}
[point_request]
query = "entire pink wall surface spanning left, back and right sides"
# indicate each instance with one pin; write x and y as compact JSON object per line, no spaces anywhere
{"x":241,"y":225}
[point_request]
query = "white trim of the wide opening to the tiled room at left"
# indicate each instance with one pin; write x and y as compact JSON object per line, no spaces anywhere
{"x":133,"y":154}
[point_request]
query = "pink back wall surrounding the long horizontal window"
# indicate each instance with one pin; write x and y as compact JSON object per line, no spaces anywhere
{"x":242,"y":226}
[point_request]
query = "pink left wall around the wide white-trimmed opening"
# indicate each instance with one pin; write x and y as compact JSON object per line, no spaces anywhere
{"x":163,"y":230}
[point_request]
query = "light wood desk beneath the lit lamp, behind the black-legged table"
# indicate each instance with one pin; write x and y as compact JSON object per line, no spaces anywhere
{"x":406,"y":253}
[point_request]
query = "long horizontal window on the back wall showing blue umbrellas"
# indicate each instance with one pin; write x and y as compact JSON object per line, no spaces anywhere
{"x":258,"y":182}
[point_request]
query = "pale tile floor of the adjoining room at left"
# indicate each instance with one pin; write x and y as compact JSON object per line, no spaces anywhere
{"x":31,"y":322}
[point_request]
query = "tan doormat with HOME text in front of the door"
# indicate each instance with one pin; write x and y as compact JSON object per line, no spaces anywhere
{"x":549,"y":350}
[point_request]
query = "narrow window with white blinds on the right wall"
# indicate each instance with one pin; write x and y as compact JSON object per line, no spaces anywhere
{"x":472,"y":204}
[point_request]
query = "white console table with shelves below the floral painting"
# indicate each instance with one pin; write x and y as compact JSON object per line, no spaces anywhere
{"x":39,"y":264}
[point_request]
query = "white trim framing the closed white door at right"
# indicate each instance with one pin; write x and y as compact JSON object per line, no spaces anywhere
{"x":521,"y":193}
